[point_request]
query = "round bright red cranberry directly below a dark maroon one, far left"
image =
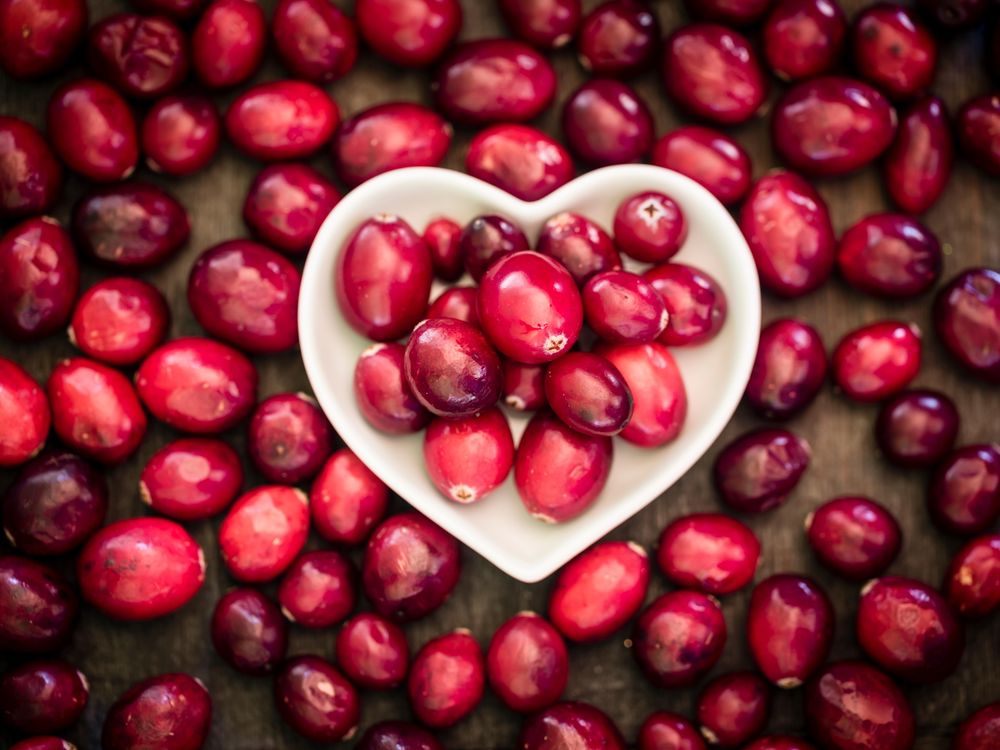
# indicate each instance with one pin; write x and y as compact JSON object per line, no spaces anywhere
{"x":119,"y":320}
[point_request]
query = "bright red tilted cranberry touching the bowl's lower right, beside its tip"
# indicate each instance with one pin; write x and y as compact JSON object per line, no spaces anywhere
{"x":599,"y":590}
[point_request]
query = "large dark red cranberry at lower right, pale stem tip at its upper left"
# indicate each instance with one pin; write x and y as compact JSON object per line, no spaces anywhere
{"x":908,"y":628}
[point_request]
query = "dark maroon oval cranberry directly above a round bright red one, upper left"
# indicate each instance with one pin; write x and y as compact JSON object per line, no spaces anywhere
{"x":130,"y":226}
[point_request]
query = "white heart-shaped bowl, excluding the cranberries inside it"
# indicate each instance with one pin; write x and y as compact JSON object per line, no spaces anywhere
{"x":498,"y":527}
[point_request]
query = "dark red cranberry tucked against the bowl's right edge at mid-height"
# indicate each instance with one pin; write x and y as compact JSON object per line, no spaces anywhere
{"x":789,"y":369}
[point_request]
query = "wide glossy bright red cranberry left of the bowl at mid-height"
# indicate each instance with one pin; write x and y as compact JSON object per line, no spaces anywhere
{"x":197,"y":385}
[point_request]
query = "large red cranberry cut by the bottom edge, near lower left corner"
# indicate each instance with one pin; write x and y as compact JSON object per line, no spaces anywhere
{"x":169,"y":711}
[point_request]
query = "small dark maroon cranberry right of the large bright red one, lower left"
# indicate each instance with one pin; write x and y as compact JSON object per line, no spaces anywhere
{"x":248,"y":631}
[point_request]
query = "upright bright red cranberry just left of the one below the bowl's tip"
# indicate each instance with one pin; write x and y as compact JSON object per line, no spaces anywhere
{"x":447,"y":679}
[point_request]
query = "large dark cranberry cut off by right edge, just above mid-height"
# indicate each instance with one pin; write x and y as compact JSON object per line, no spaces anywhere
{"x":967,"y":319}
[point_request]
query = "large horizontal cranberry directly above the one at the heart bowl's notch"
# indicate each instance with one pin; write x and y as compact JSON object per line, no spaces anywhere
{"x":493,"y":80}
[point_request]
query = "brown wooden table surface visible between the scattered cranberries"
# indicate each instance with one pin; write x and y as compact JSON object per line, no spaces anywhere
{"x":967,"y":220}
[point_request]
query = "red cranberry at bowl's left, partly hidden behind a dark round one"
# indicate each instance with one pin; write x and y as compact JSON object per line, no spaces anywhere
{"x":382,"y":393}
